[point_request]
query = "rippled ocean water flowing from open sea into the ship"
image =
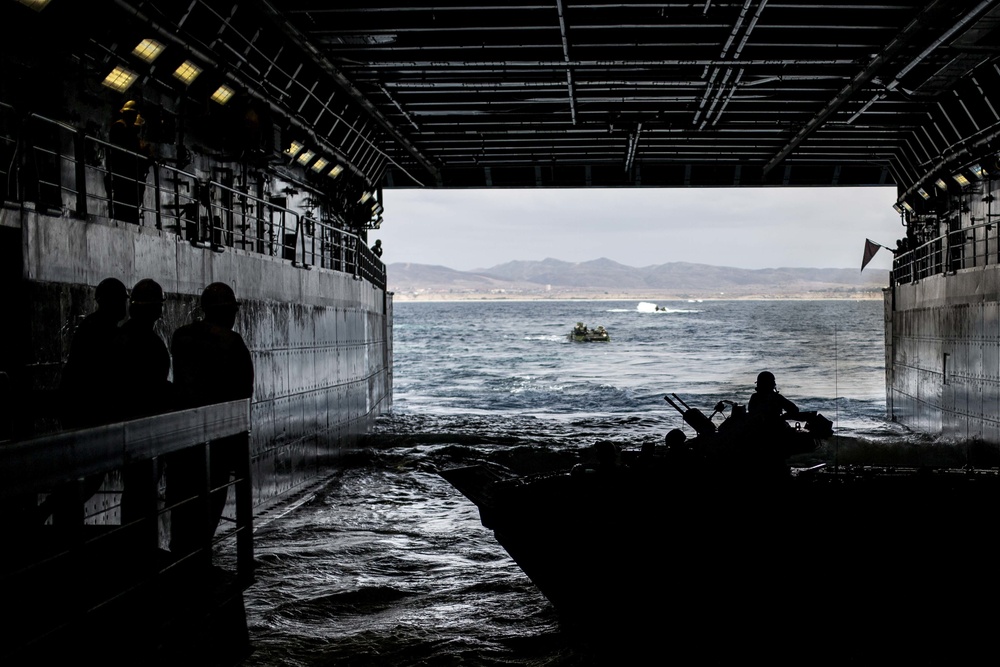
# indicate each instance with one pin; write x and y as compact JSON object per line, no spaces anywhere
{"x":387,"y":564}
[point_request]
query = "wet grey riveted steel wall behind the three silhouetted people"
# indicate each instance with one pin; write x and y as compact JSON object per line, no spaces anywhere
{"x":320,"y":339}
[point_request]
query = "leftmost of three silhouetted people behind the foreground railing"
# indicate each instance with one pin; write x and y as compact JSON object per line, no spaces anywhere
{"x":87,"y":389}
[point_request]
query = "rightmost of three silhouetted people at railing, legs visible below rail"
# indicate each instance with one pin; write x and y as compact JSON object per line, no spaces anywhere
{"x":211,"y":365}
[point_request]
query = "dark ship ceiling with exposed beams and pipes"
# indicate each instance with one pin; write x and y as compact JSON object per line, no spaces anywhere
{"x":574,"y":93}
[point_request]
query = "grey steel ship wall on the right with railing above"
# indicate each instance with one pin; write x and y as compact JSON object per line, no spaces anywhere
{"x":942,"y":324}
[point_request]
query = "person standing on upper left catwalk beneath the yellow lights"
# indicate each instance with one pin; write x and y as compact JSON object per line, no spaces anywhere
{"x":128,"y":162}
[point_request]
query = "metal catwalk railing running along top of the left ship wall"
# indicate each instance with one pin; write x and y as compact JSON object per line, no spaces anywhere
{"x":60,"y":167}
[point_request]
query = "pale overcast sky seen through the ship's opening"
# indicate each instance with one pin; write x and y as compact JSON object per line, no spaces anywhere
{"x":749,"y":228}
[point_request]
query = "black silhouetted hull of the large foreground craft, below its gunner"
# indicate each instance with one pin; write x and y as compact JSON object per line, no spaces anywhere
{"x":716,"y":564}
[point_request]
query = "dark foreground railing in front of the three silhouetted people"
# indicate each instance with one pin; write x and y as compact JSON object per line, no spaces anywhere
{"x":89,"y":514}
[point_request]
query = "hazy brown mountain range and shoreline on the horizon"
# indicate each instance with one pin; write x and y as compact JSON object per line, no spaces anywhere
{"x":604,"y":278}
